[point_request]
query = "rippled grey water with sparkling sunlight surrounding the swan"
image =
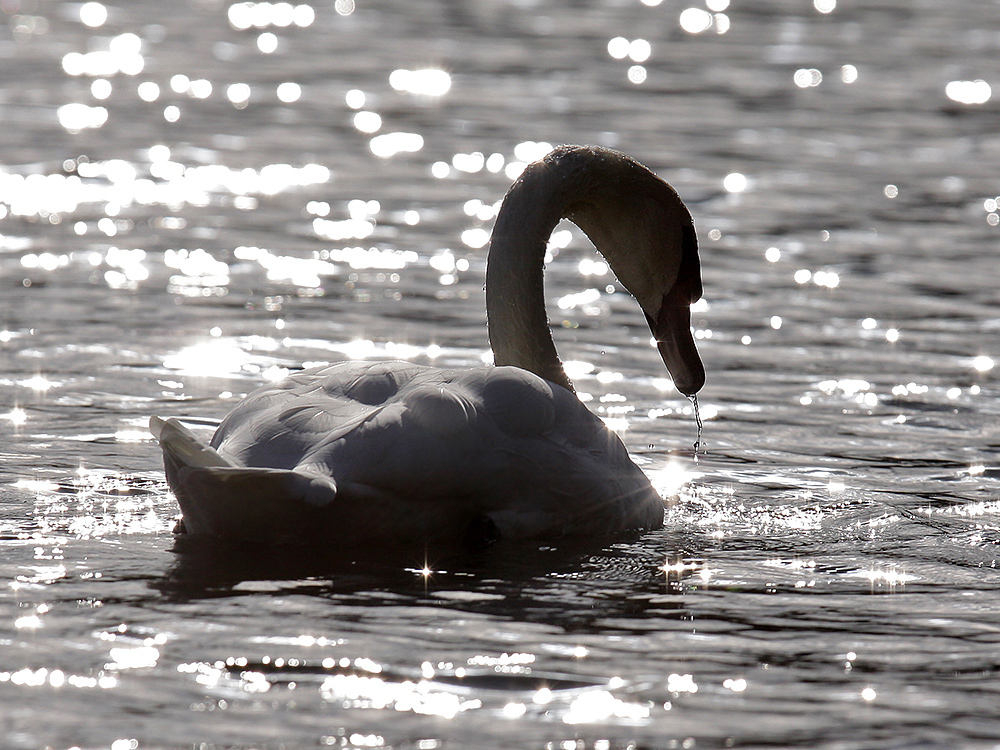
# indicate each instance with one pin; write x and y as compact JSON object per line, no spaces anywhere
{"x":826,"y":578}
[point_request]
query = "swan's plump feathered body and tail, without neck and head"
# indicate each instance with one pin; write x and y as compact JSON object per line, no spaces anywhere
{"x":407,"y":452}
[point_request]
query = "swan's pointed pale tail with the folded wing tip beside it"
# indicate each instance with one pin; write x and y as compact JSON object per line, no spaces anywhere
{"x":219,"y":498}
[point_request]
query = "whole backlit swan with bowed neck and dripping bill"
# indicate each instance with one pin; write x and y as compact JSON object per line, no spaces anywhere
{"x":376,"y":453}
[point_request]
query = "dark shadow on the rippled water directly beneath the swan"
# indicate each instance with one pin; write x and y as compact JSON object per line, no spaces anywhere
{"x":571,"y":585}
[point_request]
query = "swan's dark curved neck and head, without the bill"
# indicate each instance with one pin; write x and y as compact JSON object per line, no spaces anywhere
{"x":635,"y":220}
